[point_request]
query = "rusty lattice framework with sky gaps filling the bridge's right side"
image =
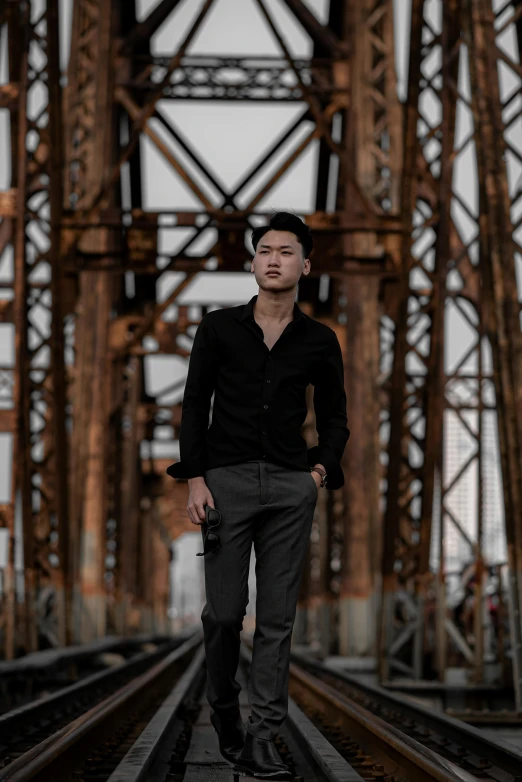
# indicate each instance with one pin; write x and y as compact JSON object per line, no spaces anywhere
{"x":443,"y":387}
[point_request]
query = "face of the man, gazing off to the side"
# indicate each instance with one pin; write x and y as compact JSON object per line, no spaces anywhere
{"x":281,"y":252}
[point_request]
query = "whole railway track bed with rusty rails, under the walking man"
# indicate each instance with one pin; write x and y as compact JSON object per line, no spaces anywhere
{"x":156,"y":728}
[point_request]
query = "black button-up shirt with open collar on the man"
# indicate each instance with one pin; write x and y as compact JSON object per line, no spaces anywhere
{"x":260,"y":401}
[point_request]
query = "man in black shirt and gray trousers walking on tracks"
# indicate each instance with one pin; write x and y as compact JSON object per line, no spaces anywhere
{"x":253,"y":466}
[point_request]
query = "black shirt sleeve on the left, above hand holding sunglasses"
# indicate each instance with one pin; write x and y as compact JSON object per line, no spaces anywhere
{"x":199,"y":387}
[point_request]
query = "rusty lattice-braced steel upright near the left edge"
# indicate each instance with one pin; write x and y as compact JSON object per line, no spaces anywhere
{"x":39,"y":442}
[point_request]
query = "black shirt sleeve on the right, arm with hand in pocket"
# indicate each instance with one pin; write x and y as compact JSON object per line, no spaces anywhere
{"x":330,"y":415}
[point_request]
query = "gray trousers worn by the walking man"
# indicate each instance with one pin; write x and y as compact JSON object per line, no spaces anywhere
{"x":271,"y":507}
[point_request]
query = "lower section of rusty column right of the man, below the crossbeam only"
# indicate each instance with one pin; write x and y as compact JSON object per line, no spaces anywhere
{"x":357,"y":599}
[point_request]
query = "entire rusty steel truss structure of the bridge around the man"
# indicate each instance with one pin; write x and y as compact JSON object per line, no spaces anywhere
{"x":406,"y":253}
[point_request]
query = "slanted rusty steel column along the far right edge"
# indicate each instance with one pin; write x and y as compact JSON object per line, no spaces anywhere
{"x":501,"y":296}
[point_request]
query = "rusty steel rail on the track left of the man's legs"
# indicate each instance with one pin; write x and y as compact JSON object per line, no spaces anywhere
{"x":63,"y":751}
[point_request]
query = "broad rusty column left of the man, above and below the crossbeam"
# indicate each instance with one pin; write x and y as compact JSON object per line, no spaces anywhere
{"x":92,"y":144}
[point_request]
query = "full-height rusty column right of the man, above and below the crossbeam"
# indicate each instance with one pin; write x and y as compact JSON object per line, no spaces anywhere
{"x":372,"y":132}
